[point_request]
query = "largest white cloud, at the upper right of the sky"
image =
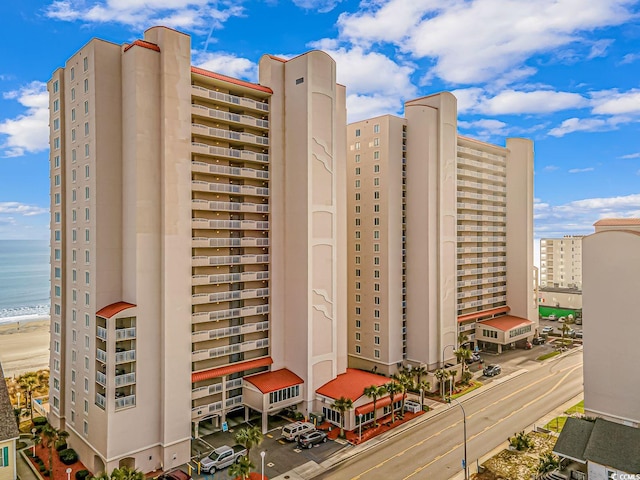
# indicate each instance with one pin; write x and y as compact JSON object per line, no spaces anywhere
{"x":482,"y":40}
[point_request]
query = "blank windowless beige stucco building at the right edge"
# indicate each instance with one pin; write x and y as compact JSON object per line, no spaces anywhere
{"x":611,"y":261}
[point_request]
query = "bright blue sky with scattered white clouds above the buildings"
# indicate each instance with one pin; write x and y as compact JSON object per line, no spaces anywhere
{"x":562,"y":72}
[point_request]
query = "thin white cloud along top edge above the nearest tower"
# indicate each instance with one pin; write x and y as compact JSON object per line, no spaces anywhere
{"x":193,"y":15}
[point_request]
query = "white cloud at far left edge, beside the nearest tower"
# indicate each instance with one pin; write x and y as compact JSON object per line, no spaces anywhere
{"x":29,"y":131}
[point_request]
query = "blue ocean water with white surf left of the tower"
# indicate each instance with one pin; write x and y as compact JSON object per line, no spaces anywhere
{"x":24,"y":279}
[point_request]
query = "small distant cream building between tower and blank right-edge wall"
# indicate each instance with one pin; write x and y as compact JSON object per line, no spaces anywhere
{"x":561,"y":262}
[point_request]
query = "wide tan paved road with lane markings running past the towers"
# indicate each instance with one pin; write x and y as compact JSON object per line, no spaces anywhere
{"x":434,"y":449}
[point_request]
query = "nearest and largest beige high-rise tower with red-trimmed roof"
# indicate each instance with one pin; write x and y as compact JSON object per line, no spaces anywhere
{"x":197,"y":233}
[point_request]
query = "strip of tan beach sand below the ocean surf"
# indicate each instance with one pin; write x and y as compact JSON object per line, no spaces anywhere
{"x":24,"y":346}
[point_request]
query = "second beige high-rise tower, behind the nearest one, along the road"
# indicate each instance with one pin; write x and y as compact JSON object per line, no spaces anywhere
{"x":441,"y":238}
